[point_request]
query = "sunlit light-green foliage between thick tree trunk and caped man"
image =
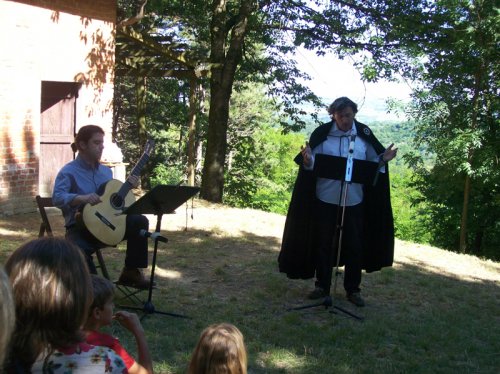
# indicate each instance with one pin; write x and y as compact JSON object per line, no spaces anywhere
{"x":260,"y":170}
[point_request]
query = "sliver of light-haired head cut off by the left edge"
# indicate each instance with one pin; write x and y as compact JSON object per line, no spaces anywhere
{"x":7,"y":315}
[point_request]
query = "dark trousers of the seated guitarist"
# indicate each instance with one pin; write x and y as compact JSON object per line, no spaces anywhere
{"x":137,"y":246}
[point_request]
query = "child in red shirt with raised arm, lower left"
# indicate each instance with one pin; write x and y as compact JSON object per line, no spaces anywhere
{"x":101,"y":314}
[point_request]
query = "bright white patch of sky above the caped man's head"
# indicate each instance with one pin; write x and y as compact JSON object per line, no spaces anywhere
{"x":332,"y":78}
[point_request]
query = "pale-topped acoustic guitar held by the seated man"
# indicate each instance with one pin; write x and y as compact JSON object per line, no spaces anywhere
{"x":105,"y":220}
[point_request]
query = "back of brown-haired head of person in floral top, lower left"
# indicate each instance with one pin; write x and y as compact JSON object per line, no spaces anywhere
{"x":52,"y":294}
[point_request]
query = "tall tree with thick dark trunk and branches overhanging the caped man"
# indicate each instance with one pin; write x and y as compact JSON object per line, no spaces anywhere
{"x":253,"y":39}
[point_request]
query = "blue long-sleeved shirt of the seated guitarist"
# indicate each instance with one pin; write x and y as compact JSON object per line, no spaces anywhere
{"x":77,"y":178}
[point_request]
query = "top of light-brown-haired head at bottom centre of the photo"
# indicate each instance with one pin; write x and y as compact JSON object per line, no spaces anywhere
{"x":220,"y":350}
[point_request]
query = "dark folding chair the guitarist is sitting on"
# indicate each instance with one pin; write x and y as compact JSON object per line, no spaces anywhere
{"x":127,"y":292}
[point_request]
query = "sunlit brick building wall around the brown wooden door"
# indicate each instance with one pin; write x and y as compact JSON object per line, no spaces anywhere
{"x":57,"y":40}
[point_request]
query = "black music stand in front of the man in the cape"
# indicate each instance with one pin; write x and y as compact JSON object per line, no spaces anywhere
{"x":347,"y":171}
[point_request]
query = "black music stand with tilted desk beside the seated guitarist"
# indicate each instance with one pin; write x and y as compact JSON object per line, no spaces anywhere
{"x":162,"y":199}
